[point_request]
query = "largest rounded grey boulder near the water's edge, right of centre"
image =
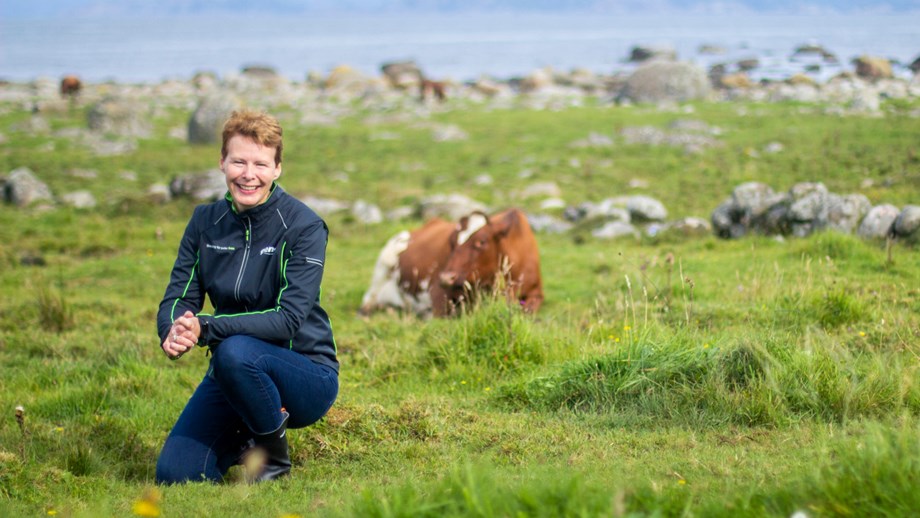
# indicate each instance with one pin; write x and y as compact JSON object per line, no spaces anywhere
{"x":659,"y":81}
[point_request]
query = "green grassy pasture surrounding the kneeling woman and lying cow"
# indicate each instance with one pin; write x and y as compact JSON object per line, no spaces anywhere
{"x":663,"y":377}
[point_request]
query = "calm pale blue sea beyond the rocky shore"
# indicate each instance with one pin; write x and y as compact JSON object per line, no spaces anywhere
{"x":462,"y":47}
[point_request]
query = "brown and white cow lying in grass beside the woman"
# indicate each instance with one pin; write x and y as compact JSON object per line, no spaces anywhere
{"x":440,"y":266}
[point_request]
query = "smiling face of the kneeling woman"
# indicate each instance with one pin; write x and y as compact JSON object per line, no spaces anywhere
{"x":249,"y":170}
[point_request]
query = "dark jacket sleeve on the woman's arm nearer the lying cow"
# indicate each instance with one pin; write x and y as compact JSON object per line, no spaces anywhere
{"x":302,"y":263}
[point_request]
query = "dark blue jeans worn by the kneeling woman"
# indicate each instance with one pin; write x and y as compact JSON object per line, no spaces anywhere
{"x":247,"y":385}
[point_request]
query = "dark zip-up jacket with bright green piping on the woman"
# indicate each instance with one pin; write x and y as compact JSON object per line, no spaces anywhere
{"x":261,"y":270}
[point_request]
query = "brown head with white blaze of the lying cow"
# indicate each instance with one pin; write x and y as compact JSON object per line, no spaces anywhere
{"x":476,"y":253}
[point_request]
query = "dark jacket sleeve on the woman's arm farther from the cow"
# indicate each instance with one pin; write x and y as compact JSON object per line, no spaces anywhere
{"x":184,"y":291}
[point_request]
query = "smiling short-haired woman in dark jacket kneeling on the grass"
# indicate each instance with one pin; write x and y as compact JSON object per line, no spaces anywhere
{"x":258,"y":255}
